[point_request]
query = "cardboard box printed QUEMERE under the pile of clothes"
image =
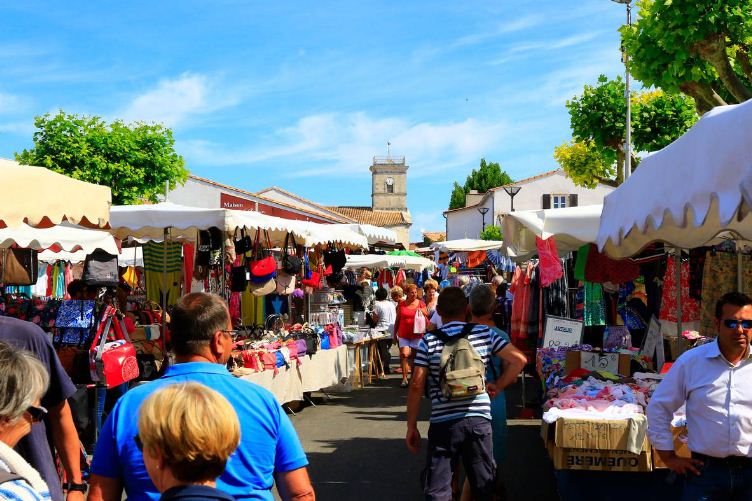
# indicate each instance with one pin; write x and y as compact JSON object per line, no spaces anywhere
{"x":581,"y":444}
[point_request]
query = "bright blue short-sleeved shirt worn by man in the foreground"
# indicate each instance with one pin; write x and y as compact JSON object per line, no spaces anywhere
{"x":268,"y":442}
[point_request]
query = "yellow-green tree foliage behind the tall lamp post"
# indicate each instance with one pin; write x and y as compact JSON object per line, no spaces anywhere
{"x":598,"y":122}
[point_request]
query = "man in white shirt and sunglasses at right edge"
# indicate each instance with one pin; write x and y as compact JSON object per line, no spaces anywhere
{"x":715,"y":381}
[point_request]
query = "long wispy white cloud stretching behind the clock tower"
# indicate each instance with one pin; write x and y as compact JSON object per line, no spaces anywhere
{"x":336,"y":143}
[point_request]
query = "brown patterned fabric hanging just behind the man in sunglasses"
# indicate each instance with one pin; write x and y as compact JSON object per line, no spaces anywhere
{"x":719,"y":277}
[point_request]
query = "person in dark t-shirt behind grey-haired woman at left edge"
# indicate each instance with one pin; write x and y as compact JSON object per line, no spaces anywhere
{"x":35,"y":447}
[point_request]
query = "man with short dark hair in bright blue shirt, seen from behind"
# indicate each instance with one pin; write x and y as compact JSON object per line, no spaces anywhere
{"x":269,"y":450}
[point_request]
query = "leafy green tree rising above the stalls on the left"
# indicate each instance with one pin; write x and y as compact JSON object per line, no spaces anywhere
{"x":134,"y":160}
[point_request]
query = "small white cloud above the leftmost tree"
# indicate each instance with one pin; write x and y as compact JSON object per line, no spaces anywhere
{"x":175,"y":101}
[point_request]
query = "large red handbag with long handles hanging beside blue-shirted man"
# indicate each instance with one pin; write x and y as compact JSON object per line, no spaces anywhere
{"x":118,"y":364}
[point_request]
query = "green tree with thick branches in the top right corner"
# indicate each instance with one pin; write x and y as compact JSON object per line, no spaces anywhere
{"x":699,"y":48}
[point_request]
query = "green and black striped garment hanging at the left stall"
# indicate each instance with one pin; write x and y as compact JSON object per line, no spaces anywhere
{"x":154,"y":266}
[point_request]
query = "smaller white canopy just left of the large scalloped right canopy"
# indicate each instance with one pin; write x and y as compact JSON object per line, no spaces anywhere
{"x":571,"y":227}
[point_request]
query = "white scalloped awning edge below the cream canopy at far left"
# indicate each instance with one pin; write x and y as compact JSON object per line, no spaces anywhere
{"x":63,"y":237}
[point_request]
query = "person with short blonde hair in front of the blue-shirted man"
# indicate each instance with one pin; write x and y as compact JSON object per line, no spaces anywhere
{"x":187,"y":432}
